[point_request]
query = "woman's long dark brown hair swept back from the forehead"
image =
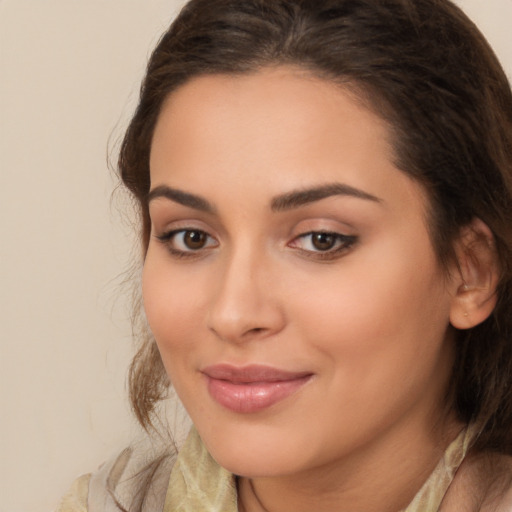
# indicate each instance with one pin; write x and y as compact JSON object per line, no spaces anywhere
{"x":425,"y":68}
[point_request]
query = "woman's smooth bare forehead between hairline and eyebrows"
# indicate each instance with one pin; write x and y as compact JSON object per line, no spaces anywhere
{"x":278,"y":129}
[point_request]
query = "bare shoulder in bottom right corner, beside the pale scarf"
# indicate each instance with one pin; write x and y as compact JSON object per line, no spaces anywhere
{"x":483,"y":483}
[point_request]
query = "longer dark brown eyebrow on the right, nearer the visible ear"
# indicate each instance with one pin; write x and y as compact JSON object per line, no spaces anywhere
{"x":298,"y":198}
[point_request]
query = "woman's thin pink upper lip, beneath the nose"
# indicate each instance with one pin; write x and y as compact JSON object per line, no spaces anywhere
{"x":251,"y":373}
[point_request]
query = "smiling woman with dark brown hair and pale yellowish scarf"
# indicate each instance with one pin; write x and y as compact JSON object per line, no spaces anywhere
{"x":326,"y":208}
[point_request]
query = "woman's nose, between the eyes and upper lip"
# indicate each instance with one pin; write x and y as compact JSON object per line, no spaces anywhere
{"x":245,"y":304}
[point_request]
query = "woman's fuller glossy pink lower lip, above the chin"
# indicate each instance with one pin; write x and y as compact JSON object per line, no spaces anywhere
{"x":253,"y":396}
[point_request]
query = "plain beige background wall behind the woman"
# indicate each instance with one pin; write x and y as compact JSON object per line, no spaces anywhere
{"x":69,"y":73}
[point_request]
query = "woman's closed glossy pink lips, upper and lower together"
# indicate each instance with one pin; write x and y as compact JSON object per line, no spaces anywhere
{"x":252,"y":388}
